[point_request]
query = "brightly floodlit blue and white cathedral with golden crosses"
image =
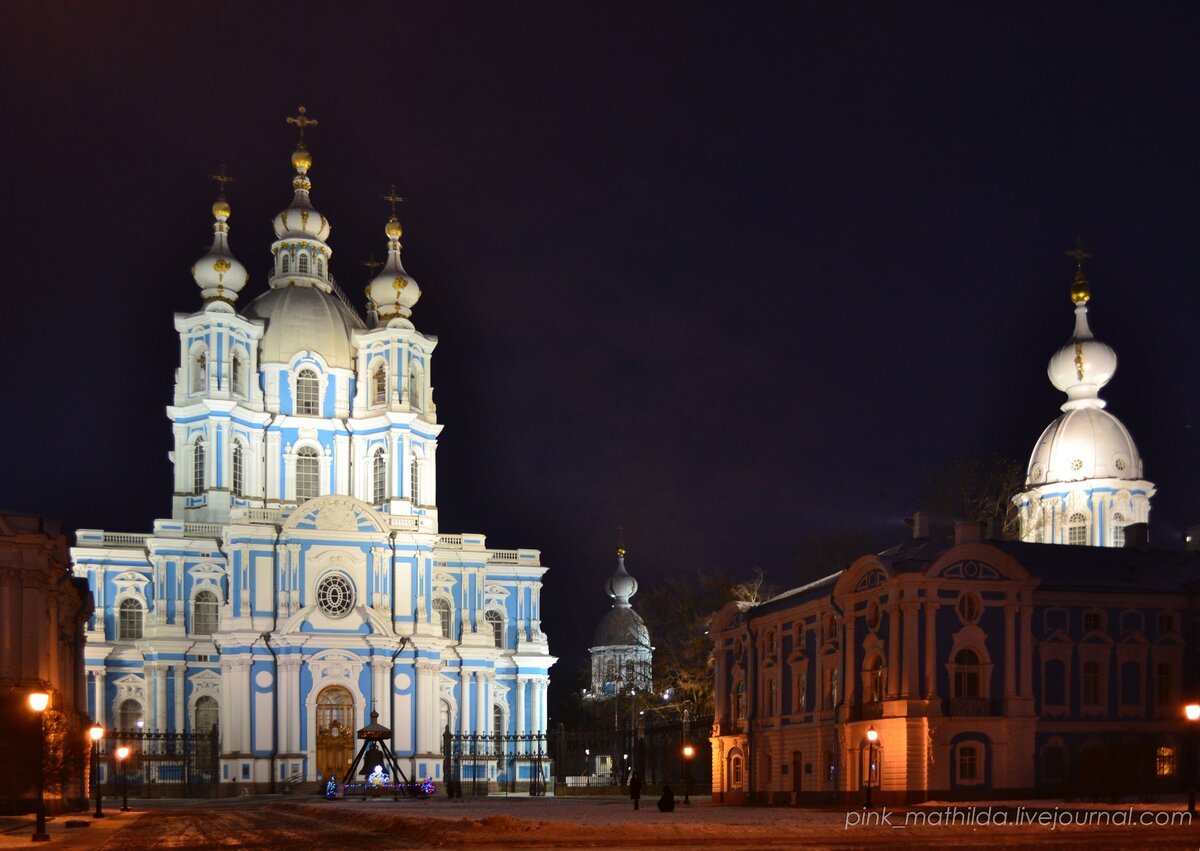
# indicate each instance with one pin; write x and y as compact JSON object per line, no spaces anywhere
{"x":302,"y":580}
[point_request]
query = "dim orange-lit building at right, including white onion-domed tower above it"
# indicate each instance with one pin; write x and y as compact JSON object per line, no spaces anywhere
{"x":969,"y":668}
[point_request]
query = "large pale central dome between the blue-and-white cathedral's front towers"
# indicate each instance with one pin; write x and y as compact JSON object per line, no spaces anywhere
{"x":305,"y":320}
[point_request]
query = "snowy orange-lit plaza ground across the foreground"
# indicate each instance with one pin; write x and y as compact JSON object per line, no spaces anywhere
{"x":494,"y":823}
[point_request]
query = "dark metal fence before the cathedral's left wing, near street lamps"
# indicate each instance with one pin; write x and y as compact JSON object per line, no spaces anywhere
{"x":160,"y":765}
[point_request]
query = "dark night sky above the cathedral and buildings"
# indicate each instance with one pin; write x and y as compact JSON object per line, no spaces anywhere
{"x":728,"y":277}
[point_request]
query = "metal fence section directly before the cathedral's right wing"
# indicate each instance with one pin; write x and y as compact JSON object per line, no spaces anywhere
{"x":495,"y":765}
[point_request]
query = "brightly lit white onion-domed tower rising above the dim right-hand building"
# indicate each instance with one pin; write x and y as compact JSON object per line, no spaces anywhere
{"x":1084,"y":484}
